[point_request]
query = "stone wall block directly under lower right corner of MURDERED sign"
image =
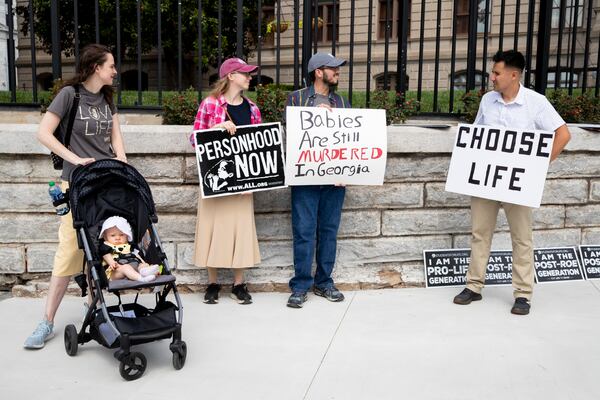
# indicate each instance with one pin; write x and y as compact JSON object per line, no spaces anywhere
{"x":390,"y":195}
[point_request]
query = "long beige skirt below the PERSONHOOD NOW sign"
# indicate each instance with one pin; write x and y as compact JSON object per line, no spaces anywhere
{"x":226,"y":232}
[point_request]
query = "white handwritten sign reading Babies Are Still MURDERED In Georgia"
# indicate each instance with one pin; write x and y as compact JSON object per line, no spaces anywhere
{"x":345,"y":145}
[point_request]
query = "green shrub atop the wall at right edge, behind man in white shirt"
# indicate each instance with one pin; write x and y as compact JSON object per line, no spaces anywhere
{"x":582,"y":108}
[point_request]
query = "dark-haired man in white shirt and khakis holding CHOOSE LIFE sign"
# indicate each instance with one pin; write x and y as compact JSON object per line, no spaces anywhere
{"x":509,"y":105}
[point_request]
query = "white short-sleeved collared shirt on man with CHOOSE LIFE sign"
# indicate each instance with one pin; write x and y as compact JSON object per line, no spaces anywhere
{"x":529,"y":110}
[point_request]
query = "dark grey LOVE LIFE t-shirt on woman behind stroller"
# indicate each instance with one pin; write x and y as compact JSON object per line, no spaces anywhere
{"x":92,"y":128}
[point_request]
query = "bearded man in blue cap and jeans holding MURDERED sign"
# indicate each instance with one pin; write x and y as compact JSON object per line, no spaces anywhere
{"x":316,"y":209}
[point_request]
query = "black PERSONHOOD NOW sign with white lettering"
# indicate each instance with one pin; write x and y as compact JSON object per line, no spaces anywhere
{"x":250,"y":160}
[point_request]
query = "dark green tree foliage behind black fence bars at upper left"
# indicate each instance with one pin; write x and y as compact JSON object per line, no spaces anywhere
{"x":149,"y":25}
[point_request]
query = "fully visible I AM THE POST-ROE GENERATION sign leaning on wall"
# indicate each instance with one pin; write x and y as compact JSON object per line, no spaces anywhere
{"x":555,"y":264}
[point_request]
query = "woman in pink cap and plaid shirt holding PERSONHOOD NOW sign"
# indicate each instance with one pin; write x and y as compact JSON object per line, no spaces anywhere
{"x":225,"y":228}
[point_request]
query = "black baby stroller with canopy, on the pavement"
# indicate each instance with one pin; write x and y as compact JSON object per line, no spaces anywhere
{"x":97,"y":191}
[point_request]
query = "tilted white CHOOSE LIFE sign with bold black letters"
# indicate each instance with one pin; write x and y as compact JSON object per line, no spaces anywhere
{"x":497,"y":163}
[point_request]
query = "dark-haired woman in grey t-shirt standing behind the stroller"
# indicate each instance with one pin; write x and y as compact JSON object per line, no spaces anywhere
{"x":95,"y":134}
